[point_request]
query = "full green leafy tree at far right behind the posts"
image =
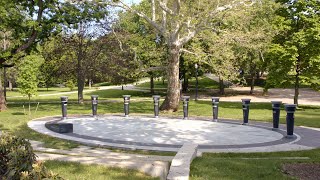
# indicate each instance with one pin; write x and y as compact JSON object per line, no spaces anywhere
{"x":296,"y":51}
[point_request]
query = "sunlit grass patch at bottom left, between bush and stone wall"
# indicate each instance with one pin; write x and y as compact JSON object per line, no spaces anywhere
{"x":77,"y":171}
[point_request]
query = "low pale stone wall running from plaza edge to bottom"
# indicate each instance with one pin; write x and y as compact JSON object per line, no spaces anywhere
{"x":180,"y":165}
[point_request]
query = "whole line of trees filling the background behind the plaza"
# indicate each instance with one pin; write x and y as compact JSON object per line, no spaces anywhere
{"x":238,"y":42}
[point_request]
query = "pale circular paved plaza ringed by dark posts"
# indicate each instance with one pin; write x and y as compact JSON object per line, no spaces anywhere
{"x":167,"y":134}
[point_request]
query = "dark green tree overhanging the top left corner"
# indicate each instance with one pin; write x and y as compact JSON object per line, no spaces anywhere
{"x":34,"y":20}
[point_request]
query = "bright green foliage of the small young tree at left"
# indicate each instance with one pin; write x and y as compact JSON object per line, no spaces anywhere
{"x":28,"y":72}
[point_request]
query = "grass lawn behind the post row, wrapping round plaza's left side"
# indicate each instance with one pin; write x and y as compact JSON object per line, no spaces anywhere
{"x":16,"y":117}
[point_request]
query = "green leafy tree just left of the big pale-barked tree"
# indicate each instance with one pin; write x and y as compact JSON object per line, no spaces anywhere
{"x":147,"y":44}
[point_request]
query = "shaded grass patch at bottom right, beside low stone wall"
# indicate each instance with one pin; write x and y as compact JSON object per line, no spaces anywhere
{"x":232,"y":166}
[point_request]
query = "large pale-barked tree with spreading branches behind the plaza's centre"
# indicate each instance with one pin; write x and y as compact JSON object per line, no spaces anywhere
{"x":178,"y":22}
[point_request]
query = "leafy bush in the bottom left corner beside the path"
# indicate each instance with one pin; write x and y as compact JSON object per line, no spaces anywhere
{"x":18,"y":161}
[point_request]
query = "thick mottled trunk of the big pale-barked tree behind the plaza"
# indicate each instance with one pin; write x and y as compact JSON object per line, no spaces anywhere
{"x":171,"y":102}
